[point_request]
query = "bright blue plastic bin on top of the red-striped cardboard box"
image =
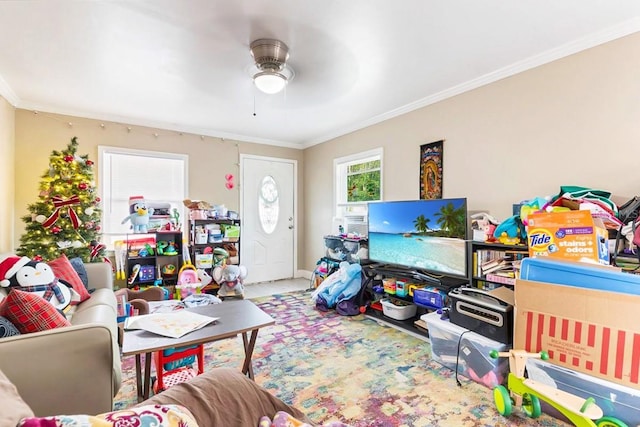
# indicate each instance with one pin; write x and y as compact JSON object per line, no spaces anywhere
{"x":582,"y":275}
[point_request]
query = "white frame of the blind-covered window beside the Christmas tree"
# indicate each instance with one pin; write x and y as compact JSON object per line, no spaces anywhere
{"x":105,"y":179}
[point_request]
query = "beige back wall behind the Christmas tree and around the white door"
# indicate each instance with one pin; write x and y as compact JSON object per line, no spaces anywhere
{"x":210,"y":159}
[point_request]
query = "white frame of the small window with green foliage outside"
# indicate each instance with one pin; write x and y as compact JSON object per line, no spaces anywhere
{"x":340,"y":166}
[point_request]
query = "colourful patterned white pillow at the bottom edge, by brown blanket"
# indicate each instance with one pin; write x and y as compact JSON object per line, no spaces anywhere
{"x":148,"y":415}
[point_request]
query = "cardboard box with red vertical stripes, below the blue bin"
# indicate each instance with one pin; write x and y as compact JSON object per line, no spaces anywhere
{"x":591,"y":331}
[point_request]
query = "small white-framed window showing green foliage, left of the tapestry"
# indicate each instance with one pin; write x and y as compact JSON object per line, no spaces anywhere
{"x":358,"y":180}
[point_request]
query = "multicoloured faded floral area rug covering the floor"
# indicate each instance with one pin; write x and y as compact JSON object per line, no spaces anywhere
{"x":351,"y":369}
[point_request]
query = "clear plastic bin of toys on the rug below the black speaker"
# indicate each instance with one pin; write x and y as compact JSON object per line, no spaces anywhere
{"x":473,"y":359}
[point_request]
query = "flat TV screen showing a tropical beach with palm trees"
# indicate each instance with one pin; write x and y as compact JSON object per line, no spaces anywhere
{"x":426,"y":235}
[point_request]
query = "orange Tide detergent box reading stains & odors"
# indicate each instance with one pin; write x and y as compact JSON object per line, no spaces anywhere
{"x":568,"y":235}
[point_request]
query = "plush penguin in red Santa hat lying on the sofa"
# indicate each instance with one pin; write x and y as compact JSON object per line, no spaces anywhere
{"x":35,"y":276}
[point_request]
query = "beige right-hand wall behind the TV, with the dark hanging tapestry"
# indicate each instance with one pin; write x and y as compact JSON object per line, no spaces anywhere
{"x":572,"y":121}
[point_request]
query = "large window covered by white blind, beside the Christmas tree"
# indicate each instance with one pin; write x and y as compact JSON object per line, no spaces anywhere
{"x":161,"y":178}
